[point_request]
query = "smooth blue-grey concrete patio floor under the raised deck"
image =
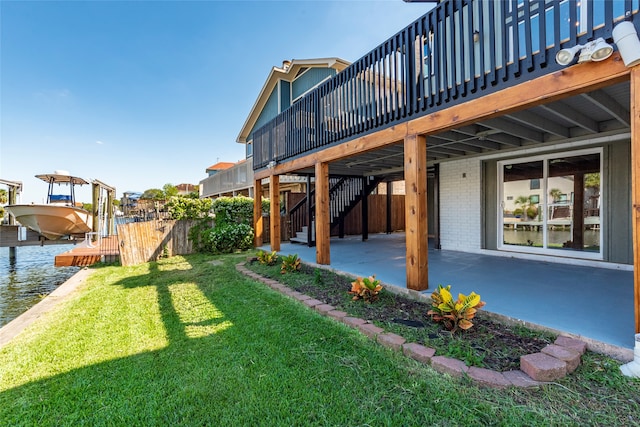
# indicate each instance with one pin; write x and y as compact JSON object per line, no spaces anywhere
{"x":593,"y":303}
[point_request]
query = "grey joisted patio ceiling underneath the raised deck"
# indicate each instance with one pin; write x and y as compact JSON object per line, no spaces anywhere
{"x":602,"y":111}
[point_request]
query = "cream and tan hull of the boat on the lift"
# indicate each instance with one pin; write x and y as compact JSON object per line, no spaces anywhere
{"x":51,"y":221}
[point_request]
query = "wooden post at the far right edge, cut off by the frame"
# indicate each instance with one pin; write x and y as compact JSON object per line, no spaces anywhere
{"x":635,"y":187}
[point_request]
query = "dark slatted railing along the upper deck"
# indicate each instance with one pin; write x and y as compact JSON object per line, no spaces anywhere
{"x":460,"y":50}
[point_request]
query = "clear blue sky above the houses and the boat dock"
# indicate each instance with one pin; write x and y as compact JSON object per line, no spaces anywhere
{"x":138,"y":94}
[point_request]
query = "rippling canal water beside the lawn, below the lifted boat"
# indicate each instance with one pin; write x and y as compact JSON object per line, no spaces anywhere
{"x":32,"y":277}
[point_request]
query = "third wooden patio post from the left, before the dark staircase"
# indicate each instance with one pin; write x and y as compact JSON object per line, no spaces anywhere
{"x":323,"y":253}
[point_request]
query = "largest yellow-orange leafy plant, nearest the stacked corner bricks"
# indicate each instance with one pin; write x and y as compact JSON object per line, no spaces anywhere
{"x":454,"y":314}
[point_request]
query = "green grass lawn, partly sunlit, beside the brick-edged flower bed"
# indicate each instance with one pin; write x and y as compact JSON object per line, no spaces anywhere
{"x":188,"y":341}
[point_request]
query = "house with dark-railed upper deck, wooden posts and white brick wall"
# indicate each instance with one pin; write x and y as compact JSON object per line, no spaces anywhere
{"x":470,"y":107}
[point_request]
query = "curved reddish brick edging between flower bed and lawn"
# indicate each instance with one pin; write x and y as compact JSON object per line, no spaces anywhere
{"x":552,"y":363}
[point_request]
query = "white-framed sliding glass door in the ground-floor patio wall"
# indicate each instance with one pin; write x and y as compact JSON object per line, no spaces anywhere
{"x":564,"y":215}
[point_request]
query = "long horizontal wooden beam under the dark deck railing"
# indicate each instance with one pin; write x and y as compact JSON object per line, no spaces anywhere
{"x":570,"y":81}
